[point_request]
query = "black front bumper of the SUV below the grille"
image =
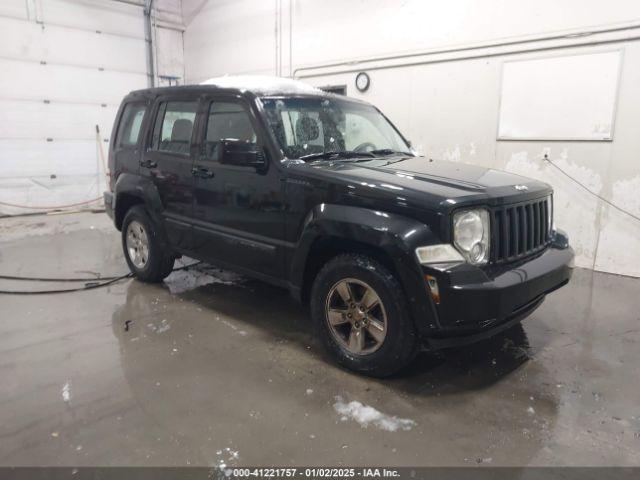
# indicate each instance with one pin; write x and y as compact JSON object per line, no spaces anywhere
{"x":477,"y":303}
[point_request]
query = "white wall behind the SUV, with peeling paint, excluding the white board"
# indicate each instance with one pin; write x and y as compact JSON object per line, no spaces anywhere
{"x":447,"y":100}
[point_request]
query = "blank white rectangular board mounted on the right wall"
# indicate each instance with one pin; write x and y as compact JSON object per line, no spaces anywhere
{"x":560,"y":98}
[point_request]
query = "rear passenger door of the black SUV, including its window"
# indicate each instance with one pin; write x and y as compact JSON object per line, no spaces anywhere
{"x":168,"y":161}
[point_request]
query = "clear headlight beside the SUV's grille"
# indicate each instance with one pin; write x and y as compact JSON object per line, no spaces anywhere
{"x":471,"y":232}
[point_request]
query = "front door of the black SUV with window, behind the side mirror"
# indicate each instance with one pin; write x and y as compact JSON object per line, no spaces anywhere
{"x":238,"y":210}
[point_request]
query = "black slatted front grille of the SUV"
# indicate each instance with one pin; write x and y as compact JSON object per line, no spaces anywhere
{"x":520,"y":230}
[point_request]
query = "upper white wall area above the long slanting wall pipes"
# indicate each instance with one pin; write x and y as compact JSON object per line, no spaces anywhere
{"x":233,"y":36}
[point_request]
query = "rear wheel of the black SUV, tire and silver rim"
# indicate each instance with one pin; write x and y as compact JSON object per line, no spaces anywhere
{"x":146,"y":257}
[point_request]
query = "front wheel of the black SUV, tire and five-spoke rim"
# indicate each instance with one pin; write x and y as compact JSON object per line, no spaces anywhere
{"x":362,"y":317}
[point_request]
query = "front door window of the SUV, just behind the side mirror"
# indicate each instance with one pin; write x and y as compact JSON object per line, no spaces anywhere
{"x":227,"y":121}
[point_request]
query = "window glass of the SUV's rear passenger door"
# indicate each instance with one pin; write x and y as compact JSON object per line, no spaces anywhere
{"x":174,"y":126}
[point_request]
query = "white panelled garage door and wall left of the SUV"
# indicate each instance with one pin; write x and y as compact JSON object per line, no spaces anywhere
{"x":66,"y":64}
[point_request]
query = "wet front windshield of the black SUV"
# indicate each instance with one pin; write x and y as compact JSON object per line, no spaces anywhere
{"x":305,"y":127}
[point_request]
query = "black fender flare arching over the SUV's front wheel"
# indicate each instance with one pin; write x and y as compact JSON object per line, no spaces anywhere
{"x":395,"y":235}
